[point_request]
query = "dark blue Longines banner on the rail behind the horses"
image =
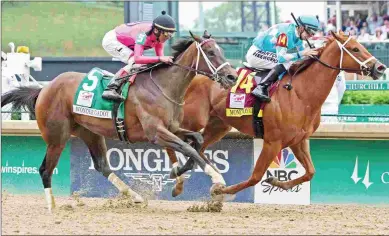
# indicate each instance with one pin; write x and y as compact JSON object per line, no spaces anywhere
{"x":146,"y":167}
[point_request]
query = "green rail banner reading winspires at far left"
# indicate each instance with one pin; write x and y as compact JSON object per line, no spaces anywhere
{"x":21,"y":158}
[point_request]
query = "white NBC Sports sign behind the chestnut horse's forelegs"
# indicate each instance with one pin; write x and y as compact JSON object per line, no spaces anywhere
{"x":284,"y":167}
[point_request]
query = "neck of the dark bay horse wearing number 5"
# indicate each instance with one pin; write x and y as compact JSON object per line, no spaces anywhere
{"x":175,"y":80}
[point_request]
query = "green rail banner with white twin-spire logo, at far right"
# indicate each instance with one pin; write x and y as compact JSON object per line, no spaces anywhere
{"x":350,"y":171}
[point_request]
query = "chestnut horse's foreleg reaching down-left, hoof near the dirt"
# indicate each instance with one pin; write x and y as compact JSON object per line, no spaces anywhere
{"x":269,"y":151}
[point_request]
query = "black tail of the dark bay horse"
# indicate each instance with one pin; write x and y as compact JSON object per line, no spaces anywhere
{"x":21,"y":97}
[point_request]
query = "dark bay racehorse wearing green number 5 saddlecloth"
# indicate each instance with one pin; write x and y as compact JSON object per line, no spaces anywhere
{"x":153,"y":111}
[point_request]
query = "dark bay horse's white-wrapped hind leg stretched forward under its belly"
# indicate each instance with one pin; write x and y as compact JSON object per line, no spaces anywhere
{"x":98,"y":150}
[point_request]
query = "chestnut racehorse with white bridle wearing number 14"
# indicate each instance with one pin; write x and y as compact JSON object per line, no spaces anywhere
{"x":289,"y":119}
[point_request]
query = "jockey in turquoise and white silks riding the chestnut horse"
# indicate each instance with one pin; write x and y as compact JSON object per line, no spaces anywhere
{"x":270,"y":50}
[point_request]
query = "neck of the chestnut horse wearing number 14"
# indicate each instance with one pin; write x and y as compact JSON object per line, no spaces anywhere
{"x":318,"y":80}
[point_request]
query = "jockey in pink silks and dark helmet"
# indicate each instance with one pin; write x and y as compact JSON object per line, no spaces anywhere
{"x":127,"y":43}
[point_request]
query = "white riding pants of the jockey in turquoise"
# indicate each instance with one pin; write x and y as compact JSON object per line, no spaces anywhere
{"x":263,"y":60}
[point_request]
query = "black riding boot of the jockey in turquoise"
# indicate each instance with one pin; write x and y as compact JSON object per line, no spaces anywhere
{"x":261,"y":91}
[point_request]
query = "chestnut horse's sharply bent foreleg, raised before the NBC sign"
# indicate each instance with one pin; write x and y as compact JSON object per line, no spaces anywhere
{"x":301,"y":152}
